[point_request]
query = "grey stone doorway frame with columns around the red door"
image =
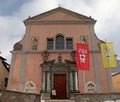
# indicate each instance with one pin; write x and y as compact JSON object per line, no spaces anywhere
{"x":49,"y":68}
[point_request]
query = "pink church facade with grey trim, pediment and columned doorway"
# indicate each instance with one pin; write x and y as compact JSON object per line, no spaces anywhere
{"x":45,"y":58}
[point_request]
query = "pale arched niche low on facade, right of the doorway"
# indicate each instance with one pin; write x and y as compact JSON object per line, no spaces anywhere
{"x":90,"y":87}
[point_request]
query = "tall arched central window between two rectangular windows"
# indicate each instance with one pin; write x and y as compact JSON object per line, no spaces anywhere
{"x":59,"y":42}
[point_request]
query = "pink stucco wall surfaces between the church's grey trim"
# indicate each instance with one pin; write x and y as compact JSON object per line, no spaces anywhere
{"x":34,"y":59}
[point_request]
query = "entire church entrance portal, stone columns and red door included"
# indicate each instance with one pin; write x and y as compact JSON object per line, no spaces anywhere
{"x":59,"y":76}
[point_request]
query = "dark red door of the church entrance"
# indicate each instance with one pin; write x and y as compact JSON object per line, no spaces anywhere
{"x":60,"y":86}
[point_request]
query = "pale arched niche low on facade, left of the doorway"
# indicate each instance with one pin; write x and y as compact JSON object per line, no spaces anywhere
{"x":30,"y":87}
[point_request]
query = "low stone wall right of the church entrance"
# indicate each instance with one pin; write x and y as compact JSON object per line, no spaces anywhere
{"x":98,"y":97}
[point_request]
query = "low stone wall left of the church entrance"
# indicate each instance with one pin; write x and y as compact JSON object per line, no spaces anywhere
{"x":12,"y":96}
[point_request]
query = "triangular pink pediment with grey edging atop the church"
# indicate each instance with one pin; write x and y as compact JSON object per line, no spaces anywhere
{"x":60,"y":14}
